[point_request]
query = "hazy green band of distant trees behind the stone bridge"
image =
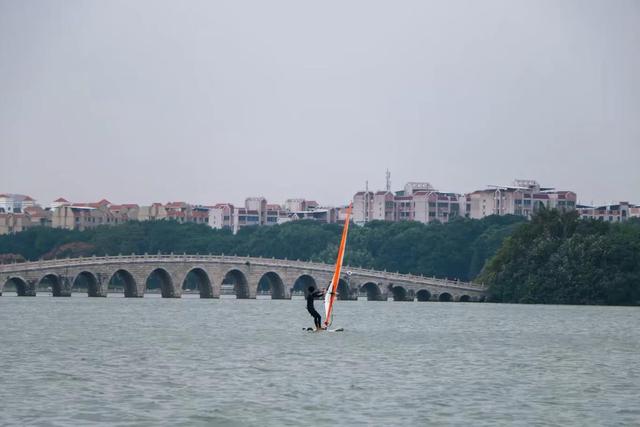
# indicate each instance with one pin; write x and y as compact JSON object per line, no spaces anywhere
{"x":457,"y":249}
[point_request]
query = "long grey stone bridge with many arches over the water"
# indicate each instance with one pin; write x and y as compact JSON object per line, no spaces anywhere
{"x":211,"y":276}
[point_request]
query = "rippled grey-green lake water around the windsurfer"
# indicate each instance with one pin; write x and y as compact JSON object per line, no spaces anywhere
{"x":154,"y":361}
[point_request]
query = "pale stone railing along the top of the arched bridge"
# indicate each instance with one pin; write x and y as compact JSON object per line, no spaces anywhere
{"x":234,"y":259}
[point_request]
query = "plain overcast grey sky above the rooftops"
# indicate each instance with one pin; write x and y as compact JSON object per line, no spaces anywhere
{"x":214,"y":101}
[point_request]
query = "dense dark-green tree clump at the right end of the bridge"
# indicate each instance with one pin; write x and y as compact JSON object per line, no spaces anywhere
{"x":559,"y":259}
